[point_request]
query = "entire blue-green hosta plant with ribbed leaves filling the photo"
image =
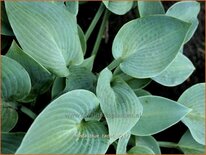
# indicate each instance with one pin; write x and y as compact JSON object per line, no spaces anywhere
{"x":91,"y":112}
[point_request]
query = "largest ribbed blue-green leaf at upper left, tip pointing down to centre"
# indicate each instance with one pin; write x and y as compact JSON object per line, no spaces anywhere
{"x":48,"y":33}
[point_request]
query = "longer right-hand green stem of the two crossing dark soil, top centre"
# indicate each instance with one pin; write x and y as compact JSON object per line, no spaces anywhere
{"x":101,"y":32}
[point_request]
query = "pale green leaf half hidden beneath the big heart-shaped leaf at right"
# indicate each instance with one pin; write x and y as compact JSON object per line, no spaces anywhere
{"x":177,"y":72}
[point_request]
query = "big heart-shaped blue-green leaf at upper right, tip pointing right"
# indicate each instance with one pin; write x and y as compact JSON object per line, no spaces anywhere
{"x":148,"y":45}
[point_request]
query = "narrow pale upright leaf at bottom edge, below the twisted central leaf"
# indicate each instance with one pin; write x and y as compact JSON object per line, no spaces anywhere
{"x":122,"y":144}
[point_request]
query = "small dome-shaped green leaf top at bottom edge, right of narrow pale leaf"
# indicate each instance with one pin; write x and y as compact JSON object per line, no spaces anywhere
{"x":140,"y":150}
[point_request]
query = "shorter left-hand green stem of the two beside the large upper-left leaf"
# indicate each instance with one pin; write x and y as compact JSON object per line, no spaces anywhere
{"x":94,"y":21}
